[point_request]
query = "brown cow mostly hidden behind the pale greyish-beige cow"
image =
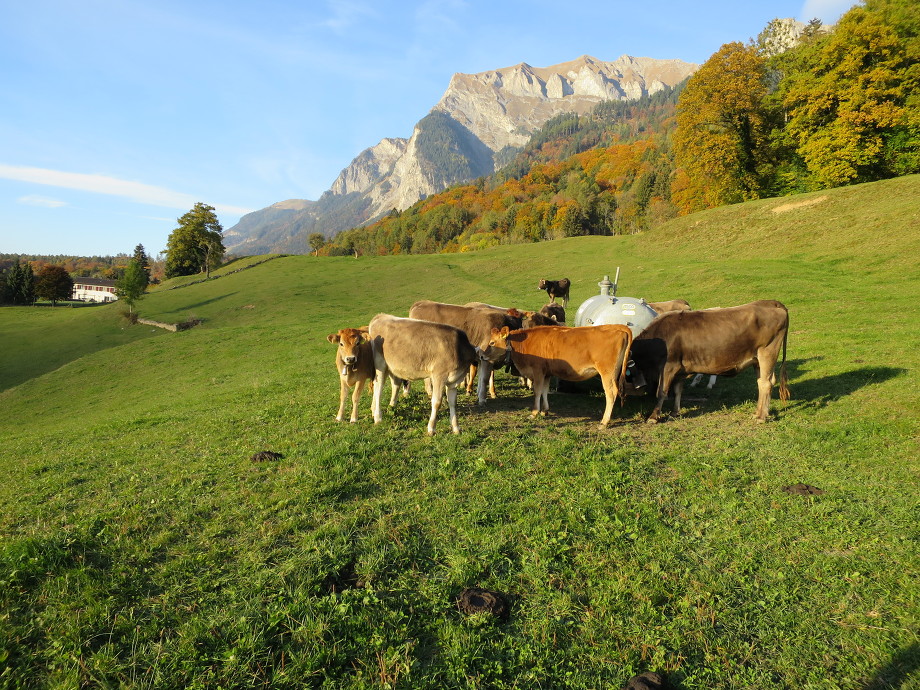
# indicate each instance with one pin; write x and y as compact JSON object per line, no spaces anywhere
{"x":477,"y":323}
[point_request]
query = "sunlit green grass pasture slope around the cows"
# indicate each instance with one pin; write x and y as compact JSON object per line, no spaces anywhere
{"x":141,"y":547}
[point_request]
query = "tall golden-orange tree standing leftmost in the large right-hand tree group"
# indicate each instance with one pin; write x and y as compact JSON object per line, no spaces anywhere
{"x":722,"y":130}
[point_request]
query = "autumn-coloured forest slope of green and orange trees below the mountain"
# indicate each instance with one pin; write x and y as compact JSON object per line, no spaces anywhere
{"x":834,"y":106}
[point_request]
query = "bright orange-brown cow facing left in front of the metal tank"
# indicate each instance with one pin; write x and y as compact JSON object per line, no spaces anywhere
{"x":572,"y":354}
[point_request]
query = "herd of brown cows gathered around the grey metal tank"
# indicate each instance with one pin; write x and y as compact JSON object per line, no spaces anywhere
{"x":447,"y":344}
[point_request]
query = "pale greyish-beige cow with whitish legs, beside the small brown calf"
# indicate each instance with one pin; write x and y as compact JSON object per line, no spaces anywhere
{"x":412,"y":349}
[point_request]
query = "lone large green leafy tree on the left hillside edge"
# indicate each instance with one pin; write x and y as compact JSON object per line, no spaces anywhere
{"x":196,"y":246}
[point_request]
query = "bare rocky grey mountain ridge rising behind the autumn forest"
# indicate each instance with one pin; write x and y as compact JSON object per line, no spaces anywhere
{"x":478,"y":118}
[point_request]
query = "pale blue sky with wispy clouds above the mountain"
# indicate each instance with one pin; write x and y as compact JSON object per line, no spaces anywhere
{"x":117,"y":116}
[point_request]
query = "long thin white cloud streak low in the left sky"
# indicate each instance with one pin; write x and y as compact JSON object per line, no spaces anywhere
{"x":101,"y":184}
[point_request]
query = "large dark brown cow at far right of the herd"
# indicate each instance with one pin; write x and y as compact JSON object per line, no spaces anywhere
{"x":719,"y":342}
